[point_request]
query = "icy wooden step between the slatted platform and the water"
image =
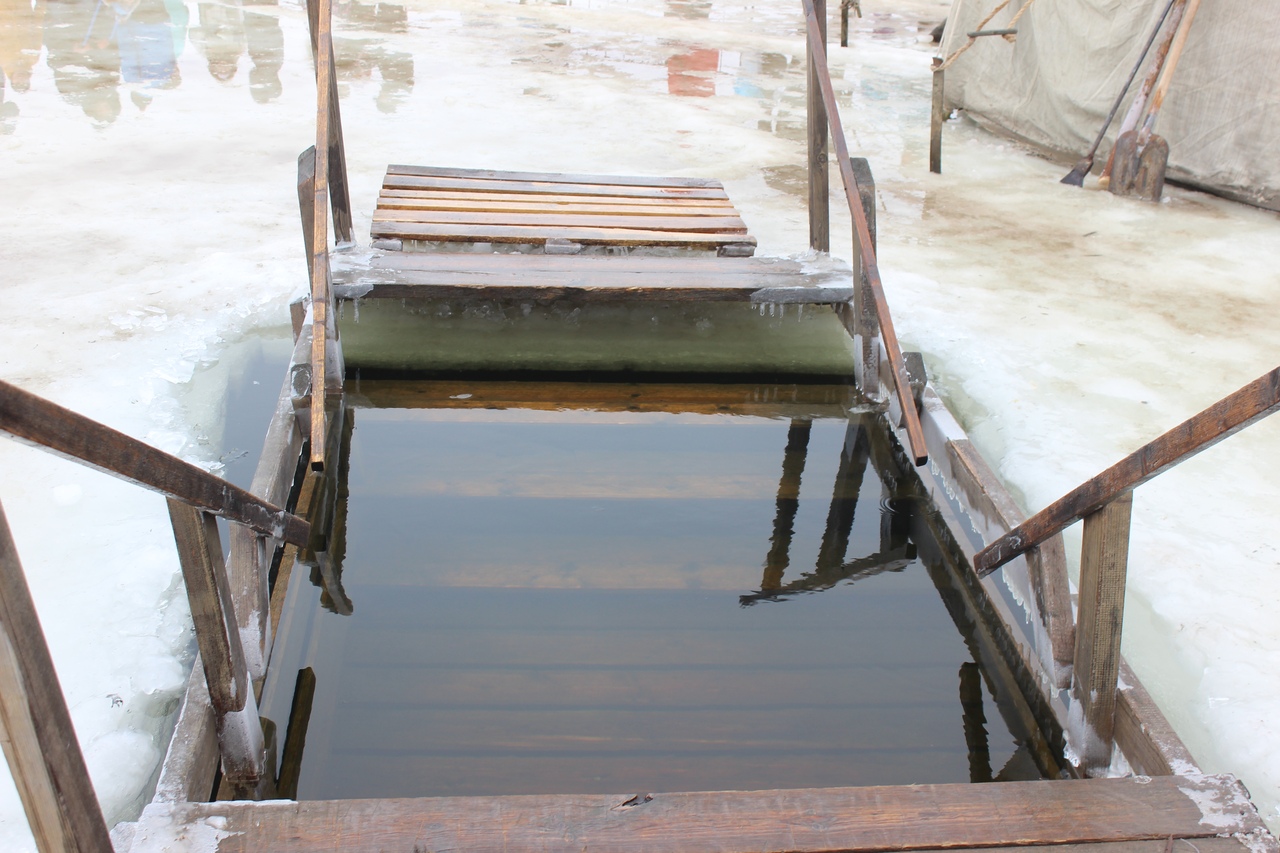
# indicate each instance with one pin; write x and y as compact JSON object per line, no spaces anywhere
{"x":542,"y":279}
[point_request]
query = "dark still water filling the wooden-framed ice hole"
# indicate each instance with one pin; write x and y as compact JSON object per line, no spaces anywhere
{"x":522,"y":601}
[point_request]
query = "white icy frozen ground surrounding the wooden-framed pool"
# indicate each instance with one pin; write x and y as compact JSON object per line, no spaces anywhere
{"x":150,"y":222}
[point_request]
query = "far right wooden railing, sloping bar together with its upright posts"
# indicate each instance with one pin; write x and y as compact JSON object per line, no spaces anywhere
{"x":825,"y":112}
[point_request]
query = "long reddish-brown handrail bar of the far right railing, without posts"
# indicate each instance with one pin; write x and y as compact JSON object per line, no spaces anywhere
{"x":863,"y":243}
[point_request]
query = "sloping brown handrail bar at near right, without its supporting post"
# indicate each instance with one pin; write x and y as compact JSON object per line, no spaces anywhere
{"x":1226,"y":418}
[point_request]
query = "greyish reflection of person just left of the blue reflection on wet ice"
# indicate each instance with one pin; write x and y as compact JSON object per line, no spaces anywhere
{"x":84,"y":57}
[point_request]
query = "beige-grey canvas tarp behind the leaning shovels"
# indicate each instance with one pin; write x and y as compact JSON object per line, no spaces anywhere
{"x":1055,"y":84}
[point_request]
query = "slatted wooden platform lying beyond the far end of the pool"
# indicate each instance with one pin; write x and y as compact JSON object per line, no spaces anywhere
{"x":424,"y":208}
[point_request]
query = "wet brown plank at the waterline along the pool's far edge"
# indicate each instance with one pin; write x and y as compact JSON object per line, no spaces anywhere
{"x":555,"y":396}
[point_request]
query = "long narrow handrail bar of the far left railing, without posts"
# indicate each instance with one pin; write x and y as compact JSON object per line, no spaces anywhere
{"x":321,"y":291}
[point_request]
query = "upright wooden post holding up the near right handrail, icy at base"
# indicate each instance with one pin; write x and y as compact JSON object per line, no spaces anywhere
{"x":1104,"y":562}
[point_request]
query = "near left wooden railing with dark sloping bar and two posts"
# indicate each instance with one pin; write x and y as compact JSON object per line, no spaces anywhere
{"x":40,"y":741}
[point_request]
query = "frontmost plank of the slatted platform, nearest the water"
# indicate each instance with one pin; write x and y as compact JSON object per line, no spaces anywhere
{"x":536,"y":235}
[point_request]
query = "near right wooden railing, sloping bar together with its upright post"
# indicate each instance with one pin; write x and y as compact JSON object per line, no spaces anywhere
{"x":1105,"y":504}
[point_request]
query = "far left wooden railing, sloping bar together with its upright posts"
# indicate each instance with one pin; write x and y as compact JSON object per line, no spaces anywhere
{"x":323,"y":184}
